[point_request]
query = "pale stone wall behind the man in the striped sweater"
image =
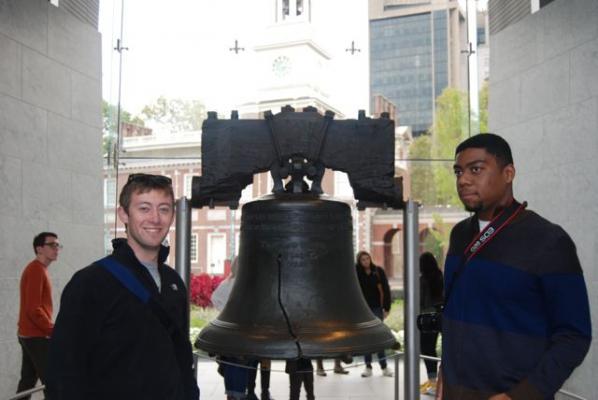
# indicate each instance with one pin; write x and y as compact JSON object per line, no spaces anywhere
{"x":544,"y":101}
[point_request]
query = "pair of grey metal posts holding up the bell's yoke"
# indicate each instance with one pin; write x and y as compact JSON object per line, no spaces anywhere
{"x":411,"y":304}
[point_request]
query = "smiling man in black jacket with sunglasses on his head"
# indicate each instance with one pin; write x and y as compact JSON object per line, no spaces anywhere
{"x":122,"y":329}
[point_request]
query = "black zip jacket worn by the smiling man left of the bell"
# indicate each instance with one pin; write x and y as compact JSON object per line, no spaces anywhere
{"x":107,"y":344}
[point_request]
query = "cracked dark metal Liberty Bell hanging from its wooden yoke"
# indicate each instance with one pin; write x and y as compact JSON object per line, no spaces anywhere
{"x":296,"y":293}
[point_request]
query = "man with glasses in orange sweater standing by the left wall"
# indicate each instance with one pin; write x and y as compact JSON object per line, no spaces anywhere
{"x":35,"y":313}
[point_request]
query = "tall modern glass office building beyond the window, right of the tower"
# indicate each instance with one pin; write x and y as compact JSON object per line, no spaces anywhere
{"x":415,"y":53}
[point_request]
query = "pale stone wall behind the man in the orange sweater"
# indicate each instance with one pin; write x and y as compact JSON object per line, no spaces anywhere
{"x":50,"y":152}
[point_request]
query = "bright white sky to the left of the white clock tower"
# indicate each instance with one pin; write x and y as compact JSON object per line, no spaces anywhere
{"x":176,"y":49}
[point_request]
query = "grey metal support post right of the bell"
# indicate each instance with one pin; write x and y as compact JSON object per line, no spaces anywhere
{"x":411,"y":305}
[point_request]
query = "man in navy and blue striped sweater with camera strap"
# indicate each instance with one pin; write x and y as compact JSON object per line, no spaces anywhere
{"x":516,"y":321}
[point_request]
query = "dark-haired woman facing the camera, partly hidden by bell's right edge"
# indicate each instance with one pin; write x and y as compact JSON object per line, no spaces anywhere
{"x":376,"y":291}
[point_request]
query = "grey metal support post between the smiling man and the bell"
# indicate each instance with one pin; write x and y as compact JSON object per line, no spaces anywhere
{"x":183,"y":240}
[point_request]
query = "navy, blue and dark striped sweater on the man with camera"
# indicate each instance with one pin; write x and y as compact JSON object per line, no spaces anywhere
{"x":517,"y":320}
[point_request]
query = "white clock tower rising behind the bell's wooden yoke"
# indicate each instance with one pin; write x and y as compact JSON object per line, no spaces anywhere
{"x":293,"y":60}
